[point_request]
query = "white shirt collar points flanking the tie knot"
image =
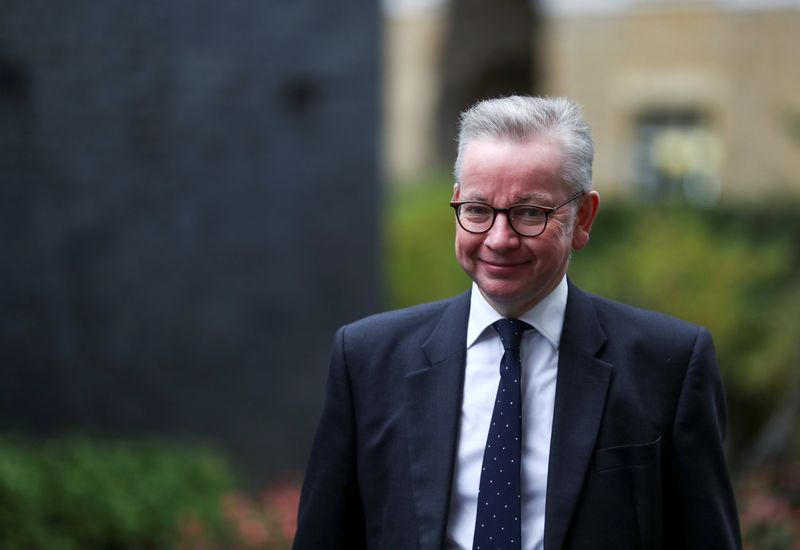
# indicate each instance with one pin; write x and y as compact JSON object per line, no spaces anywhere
{"x":547,"y":317}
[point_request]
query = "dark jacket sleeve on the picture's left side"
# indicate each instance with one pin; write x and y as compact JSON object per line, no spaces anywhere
{"x":331,"y":513}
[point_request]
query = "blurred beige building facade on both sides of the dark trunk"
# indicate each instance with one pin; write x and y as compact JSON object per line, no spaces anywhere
{"x":696,"y":99}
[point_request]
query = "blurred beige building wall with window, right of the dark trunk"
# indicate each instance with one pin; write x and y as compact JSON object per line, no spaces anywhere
{"x":685,"y":98}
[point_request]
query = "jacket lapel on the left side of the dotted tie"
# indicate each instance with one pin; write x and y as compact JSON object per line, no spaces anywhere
{"x":433,"y":397}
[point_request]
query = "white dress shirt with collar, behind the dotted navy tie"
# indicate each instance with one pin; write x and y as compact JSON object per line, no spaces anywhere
{"x":482,"y":376}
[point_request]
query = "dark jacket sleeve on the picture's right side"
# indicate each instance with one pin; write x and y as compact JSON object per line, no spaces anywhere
{"x":700,"y":508}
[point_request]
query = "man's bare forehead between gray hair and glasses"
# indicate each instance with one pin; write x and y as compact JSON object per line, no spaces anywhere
{"x":512,"y":170}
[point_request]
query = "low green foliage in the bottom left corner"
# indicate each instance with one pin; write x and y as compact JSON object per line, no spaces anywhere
{"x":74,"y":493}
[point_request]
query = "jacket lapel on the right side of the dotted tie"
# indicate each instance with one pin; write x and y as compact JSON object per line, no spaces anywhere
{"x":581,"y":387}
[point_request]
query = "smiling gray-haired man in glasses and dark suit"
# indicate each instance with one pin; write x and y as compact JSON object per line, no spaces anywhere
{"x":618,"y":440}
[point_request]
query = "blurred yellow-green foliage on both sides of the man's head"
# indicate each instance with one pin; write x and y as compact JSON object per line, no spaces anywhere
{"x":732,"y":269}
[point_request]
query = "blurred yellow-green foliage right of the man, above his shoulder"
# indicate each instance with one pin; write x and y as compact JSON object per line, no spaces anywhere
{"x":724,"y":269}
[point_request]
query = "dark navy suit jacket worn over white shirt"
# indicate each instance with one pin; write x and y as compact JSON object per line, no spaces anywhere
{"x":636,"y":456}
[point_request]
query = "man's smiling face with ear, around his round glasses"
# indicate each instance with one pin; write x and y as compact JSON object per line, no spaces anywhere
{"x":514,"y":272}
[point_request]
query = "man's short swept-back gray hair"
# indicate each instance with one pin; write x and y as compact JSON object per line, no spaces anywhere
{"x":521,"y":118}
